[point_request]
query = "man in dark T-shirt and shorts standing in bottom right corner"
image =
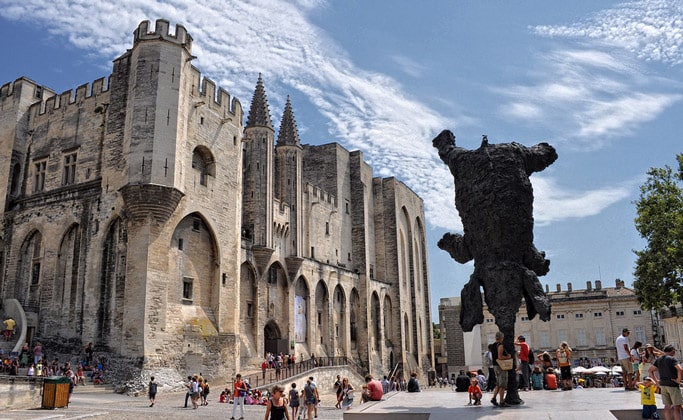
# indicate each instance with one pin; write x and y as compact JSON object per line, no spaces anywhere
{"x":670,"y":376}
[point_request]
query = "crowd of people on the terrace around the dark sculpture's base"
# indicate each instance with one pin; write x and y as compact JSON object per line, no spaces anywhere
{"x":642,"y":367}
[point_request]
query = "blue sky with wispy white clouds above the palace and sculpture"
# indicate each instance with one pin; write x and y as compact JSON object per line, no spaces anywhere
{"x":601,"y":81}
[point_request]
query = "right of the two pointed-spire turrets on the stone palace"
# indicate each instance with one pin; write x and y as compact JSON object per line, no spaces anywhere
{"x":288,"y":165}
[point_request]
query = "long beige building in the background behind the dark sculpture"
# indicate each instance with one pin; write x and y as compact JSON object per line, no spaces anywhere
{"x":588,"y":319}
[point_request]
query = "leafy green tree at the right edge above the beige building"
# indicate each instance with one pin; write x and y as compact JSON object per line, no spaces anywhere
{"x":659,"y":267}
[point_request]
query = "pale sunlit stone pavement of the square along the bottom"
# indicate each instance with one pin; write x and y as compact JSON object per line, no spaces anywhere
{"x":443,"y":404}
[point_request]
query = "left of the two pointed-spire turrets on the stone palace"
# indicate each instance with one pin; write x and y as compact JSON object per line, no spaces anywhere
{"x":257,"y":202}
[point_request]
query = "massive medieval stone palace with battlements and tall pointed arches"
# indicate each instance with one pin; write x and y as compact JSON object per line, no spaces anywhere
{"x":140,"y":214}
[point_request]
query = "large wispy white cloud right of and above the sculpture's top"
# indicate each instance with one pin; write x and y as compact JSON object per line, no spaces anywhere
{"x":590,"y":94}
